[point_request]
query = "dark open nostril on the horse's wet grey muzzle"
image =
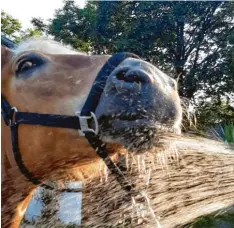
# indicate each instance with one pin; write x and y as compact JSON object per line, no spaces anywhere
{"x":130,"y":76}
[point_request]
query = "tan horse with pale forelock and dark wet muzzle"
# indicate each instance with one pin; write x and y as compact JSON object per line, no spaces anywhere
{"x":139,"y":104}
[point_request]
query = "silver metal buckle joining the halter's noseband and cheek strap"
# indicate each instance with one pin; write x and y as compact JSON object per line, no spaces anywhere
{"x":84,"y":127}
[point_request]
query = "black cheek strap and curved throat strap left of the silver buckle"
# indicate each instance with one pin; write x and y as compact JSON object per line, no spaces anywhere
{"x":38,"y":119}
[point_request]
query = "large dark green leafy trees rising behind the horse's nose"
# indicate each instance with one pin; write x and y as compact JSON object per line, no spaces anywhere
{"x":188,"y":40}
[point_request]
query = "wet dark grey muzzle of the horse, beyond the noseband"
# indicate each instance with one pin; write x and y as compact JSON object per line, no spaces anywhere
{"x":139,"y":104}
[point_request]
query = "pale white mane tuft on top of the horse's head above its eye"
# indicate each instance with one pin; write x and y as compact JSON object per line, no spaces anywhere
{"x":44,"y":45}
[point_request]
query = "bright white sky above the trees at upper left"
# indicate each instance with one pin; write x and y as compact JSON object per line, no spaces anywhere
{"x":24,"y":10}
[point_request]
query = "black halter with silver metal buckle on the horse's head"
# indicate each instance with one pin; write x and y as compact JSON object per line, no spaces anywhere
{"x":81,"y":121}
